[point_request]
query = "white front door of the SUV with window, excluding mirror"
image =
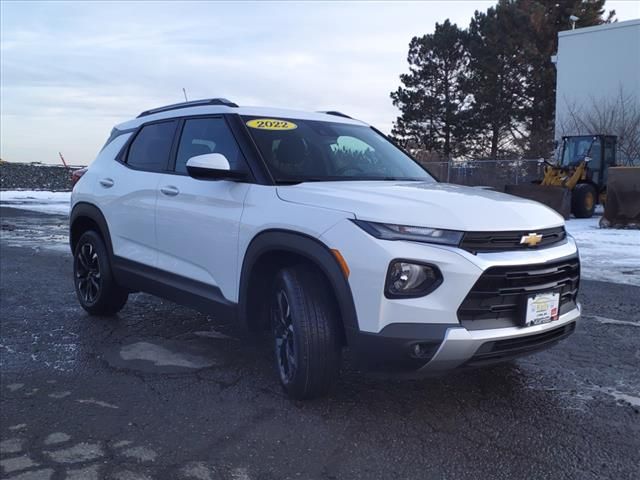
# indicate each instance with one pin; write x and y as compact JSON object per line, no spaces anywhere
{"x":198,"y":220}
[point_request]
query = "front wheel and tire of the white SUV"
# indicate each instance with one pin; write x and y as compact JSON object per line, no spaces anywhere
{"x":305,"y":333}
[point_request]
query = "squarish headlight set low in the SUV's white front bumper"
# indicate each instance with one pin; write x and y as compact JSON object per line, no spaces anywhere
{"x":406,"y":278}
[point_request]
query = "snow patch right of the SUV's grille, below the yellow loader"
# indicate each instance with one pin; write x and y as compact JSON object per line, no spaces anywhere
{"x":605,"y":253}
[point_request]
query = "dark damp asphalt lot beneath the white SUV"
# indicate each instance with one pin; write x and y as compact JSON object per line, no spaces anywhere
{"x":164,"y":392}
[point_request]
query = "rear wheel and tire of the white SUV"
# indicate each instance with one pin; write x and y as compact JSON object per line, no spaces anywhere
{"x":95,"y":287}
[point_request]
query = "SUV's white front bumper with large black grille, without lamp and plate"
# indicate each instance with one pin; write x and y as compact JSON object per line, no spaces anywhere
{"x":442,"y":330}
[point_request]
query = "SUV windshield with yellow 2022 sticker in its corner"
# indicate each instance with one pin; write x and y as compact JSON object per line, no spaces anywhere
{"x":308,"y":150}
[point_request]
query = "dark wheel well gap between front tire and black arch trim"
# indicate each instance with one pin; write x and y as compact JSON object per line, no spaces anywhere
{"x":261,"y":278}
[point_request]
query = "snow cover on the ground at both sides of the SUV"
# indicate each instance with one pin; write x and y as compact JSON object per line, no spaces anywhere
{"x":606,"y":254}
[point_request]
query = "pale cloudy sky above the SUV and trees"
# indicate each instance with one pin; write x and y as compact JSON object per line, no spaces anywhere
{"x":70,"y":71}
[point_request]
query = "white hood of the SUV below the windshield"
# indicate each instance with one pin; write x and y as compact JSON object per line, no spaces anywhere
{"x":437,"y":205}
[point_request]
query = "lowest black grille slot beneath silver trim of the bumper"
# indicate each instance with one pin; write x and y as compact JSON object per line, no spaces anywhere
{"x":500,"y":350}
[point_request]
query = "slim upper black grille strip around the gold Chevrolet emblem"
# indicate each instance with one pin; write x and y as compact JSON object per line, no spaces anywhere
{"x":478,"y":242}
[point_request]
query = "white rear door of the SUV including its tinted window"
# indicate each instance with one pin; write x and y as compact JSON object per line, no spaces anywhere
{"x":130,"y":192}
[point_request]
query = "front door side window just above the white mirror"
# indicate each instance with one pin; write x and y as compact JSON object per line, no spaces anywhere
{"x":208,"y":135}
